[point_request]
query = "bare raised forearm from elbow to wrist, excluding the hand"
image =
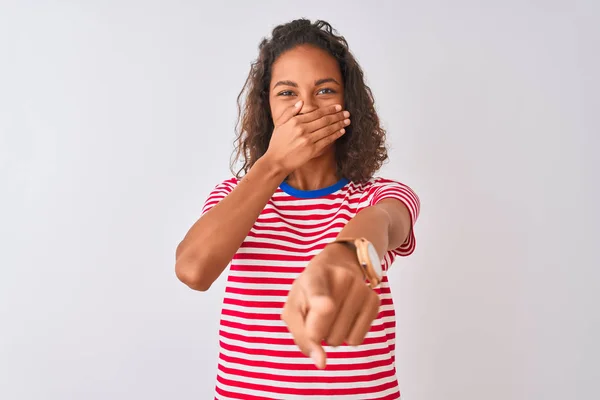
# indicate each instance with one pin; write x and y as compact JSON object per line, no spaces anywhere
{"x":213,"y":240}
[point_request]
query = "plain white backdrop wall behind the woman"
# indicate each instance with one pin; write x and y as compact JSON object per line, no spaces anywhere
{"x":117,"y":118}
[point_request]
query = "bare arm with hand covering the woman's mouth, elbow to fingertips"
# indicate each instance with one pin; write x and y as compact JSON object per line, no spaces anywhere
{"x":214,"y":239}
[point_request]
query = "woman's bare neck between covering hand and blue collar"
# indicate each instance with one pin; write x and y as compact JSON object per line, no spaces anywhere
{"x":318,"y":173}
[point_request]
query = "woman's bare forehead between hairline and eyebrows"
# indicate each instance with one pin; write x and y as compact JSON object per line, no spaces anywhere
{"x":305,"y":64}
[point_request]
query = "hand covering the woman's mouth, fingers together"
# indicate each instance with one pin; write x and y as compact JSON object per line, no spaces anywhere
{"x":298,"y":138}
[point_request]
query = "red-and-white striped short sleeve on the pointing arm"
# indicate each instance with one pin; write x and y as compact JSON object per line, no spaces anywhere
{"x":389,"y":189}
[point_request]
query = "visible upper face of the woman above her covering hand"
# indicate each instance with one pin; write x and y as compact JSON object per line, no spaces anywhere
{"x":305,"y":73}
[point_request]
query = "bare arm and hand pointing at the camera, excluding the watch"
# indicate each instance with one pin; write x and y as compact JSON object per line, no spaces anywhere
{"x":330,"y":299}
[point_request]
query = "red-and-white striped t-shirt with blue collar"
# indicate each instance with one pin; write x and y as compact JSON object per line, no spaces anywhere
{"x":258,"y":358}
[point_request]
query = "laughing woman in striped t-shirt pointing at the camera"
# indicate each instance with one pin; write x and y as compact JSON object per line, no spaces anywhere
{"x":299,"y":320}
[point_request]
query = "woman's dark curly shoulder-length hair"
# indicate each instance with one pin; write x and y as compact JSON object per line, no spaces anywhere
{"x":360,"y":152}
